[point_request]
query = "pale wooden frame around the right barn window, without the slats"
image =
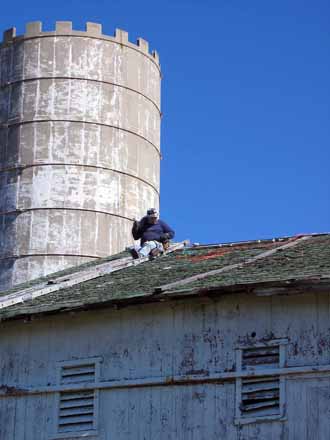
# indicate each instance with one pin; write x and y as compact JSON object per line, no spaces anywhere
{"x":256,"y":372}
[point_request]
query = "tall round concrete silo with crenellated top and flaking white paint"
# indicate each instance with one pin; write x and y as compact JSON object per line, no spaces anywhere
{"x":79,"y":146}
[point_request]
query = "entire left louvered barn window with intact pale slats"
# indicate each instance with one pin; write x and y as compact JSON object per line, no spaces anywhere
{"x":78,"y":398}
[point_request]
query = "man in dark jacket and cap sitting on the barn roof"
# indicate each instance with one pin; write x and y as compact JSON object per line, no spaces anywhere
{"x":154,"y":234}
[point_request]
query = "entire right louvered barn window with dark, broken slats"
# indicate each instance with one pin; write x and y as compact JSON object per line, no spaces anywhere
{"x":259,"y":385}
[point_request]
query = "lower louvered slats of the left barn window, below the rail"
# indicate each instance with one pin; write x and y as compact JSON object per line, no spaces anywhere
{"x":76,"y":411}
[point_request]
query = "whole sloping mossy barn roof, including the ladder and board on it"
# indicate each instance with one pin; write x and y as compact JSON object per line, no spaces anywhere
{"x":277,"y":266}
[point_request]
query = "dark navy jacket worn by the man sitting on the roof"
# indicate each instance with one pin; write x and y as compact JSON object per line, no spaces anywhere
{"x":159,"y":231}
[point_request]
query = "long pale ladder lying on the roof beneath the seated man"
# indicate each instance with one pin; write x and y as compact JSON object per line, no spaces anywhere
{"x":64,"y":281}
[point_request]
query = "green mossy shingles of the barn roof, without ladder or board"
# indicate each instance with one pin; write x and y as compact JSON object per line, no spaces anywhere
{"x":309,"y":258}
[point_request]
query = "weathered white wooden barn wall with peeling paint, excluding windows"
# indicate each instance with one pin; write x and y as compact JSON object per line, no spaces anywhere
{"x":155,"y":342}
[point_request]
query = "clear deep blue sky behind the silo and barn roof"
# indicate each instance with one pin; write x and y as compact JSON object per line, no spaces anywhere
{"x":245,"y":98}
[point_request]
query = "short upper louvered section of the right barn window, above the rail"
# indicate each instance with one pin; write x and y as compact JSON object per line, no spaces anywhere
{"x":261,"y":357}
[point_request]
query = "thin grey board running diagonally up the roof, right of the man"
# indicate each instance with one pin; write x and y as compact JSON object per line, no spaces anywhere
{"x":293,"y":242}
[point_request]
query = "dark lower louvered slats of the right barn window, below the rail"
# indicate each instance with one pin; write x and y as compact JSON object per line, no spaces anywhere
{"x":260,"y":396}
